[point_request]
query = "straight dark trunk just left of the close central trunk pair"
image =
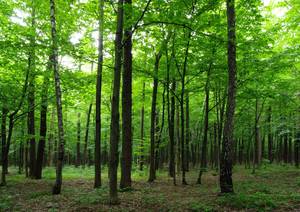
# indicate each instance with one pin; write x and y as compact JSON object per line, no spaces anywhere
{"x":98,"y":182}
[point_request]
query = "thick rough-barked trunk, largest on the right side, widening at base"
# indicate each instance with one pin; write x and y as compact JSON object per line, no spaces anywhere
{"x":226,"y":184}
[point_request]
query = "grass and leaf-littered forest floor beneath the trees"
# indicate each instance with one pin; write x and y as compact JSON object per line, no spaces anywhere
{"x":271,"y":188}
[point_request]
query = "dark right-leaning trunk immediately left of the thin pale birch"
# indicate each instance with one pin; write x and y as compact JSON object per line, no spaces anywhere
{"x":43,"y":127}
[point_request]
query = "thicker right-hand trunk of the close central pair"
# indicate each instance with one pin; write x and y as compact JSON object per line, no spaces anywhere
{"x":127,"y":100}
